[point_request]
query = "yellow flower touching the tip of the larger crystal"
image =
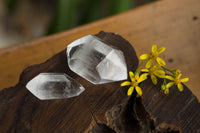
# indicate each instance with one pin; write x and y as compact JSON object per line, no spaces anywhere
{"x":135,"y":80}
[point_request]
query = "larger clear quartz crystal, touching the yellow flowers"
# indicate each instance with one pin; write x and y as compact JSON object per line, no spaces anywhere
{"x":96,"y":61}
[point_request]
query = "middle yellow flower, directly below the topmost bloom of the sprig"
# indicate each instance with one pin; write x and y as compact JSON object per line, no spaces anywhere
{"x":153,"y":72}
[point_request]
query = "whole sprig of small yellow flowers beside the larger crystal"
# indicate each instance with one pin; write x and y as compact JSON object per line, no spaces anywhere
{"x":154,"y":72}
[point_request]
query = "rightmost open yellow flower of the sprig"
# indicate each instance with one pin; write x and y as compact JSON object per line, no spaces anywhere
{"x":177,"y":81}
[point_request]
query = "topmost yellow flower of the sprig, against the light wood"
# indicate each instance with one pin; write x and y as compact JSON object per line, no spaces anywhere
{"x":154,"y":56}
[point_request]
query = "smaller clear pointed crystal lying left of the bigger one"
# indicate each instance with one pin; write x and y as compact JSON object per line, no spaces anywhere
{"x":54,"y":86}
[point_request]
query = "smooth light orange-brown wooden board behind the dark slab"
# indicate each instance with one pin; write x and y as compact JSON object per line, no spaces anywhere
{"x":174,"y":24}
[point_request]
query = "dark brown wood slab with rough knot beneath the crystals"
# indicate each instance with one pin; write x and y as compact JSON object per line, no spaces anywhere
{"x":103,"y":108}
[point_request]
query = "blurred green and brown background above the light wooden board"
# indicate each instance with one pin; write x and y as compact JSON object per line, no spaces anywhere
{"x":23,"y":20}
